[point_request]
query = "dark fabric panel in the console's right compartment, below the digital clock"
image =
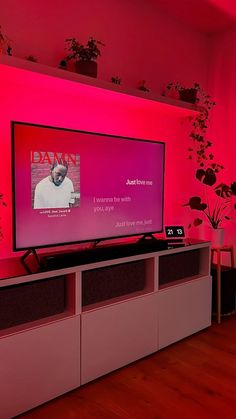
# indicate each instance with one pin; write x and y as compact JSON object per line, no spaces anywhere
{"x":178,"y":266}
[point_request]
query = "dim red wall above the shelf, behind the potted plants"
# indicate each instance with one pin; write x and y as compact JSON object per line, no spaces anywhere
{"x":141,"y":41}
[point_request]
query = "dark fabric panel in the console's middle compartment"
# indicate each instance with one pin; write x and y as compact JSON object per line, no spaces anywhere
{"x":113,"y":281}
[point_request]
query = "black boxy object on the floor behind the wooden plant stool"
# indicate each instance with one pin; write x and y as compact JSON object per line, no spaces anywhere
{"x":228,"y":289}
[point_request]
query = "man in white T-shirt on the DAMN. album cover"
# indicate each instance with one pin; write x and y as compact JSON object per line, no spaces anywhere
{"x":55,"y":190}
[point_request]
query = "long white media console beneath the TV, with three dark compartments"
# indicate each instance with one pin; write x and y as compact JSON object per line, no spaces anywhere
{"x":65,"y":327}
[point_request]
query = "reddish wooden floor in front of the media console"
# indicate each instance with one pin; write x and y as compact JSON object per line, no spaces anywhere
{"x":194,"y":378}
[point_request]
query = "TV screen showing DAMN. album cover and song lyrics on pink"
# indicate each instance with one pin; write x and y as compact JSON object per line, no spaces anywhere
{"x":73,"y":186}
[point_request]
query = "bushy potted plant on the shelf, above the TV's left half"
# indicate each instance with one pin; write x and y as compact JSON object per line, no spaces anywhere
{"x":84,"y":56}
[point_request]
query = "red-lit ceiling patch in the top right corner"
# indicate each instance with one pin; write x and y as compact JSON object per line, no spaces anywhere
{"x":205,"y":15}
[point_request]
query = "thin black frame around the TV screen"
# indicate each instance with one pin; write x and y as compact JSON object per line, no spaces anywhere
{"x":98,"y":239}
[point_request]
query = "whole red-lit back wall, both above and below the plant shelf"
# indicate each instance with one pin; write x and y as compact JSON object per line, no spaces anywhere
{"x":141,"y":43}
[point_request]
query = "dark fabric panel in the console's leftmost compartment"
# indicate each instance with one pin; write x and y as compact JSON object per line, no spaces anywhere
{"x":30,"y":301}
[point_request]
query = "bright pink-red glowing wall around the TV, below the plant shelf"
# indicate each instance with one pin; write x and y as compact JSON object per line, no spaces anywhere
{"x":42,"y":99}
